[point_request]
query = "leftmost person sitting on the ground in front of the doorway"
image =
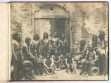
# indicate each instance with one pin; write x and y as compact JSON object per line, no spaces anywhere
{"x":49,"y":65}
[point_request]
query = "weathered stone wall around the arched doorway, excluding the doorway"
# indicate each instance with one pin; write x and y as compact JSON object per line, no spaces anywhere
{"x":86,"y":19}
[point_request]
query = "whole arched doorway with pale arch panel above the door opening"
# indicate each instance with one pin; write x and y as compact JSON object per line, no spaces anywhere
{"x":52,"y":18}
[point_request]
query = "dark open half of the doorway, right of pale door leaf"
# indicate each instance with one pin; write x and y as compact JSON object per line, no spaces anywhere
{"x":61,"y":26}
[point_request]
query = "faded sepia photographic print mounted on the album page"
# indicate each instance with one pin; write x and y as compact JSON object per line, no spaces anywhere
{"x":59,"y":41}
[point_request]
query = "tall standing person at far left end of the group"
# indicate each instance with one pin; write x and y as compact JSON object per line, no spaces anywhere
{"x":17,"y":57}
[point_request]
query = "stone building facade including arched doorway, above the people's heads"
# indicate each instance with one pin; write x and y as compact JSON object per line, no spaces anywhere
{"x":78,"y":21}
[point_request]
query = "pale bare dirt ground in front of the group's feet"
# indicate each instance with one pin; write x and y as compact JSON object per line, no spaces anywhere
{"x":62,"y":75}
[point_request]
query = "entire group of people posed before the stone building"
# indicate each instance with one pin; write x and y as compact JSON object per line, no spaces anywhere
{"x":44,"y":57}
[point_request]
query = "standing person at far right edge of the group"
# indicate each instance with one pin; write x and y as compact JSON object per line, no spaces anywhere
{"x":103,"y":58}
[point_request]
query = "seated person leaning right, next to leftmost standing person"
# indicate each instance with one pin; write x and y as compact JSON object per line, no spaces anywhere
{"x":29,"y":53}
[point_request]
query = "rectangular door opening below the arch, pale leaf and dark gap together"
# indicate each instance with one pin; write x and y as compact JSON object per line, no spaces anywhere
{"x":51,"y":25}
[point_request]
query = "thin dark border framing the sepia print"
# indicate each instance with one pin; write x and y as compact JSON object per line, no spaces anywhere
{"x":66,"y":2}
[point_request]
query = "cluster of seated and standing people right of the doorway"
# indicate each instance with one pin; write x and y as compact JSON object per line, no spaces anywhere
{"x":92,"y":59}
